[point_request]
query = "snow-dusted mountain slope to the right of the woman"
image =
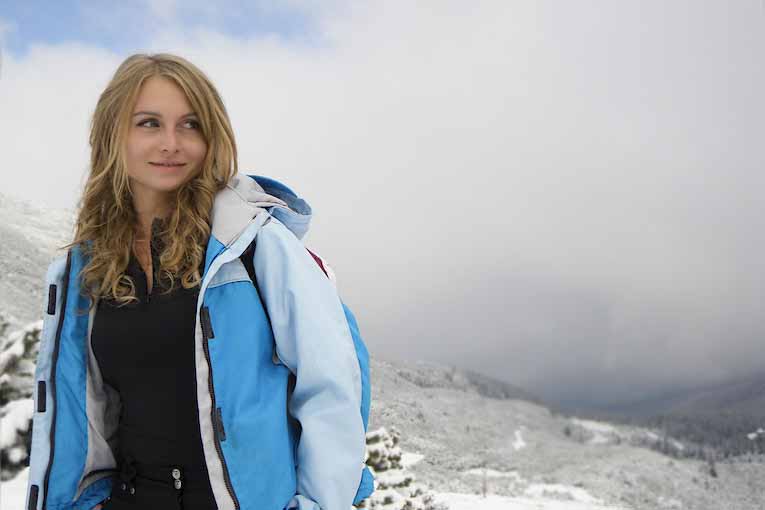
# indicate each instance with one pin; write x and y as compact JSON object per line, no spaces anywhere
{"x":529,"y":451}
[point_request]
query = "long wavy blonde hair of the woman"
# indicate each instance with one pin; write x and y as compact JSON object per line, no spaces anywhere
{"x":107,"y":221}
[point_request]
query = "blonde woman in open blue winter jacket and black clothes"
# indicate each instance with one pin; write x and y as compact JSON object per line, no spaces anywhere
{"x":179,"y":366}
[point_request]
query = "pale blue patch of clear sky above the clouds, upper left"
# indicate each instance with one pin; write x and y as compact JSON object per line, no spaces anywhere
{"x":125,"y":26}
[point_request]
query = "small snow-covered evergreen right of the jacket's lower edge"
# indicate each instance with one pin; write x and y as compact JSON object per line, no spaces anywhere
{"x":394,"y":486}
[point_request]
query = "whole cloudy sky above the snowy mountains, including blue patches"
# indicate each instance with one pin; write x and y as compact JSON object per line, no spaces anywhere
{"x":567,"y":195}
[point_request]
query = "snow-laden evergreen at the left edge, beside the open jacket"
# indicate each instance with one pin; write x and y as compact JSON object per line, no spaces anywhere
{"x":18,"y":354}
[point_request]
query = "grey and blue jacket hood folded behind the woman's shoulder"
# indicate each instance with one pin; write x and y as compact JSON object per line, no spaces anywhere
{"x":245,"y":196}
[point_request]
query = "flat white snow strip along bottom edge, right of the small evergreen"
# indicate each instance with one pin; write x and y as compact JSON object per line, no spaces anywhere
{"x":457,"y":501}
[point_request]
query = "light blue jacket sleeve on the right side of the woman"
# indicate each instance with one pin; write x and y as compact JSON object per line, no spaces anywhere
{"x":314,"y":341}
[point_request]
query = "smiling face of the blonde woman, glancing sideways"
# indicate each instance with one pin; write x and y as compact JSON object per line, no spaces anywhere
{"x":163,"y":130}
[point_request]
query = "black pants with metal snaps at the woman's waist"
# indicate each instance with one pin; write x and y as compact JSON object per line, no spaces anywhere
{"x":142,"y":486}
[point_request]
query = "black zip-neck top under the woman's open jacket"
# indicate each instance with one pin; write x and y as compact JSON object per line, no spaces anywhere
{"x":146,"y":352}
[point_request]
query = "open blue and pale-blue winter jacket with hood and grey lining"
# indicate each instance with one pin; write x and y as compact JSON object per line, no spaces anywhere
{"x":244,"y":356}
